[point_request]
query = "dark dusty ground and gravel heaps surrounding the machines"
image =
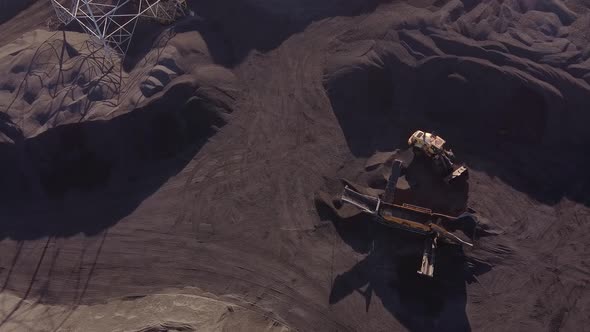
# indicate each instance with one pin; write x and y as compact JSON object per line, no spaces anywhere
{"x":195,"y":163}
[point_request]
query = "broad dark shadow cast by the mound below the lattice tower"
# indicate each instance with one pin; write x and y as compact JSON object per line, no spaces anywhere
{"x":85,"y":177}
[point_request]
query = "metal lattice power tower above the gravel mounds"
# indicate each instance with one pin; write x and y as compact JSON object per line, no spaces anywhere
{"x":112,"y":23}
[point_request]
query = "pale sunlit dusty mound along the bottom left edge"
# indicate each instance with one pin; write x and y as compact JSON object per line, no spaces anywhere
{"x":152,"y":313}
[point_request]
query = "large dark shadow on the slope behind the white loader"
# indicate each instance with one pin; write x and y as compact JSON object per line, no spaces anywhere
{"x":507,"y":133}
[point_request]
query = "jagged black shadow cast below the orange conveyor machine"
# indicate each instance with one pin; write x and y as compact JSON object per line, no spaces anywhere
{"x":389,"y":272}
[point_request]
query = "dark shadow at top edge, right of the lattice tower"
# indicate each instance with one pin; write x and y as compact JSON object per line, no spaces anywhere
{"x":256,"y":25}
